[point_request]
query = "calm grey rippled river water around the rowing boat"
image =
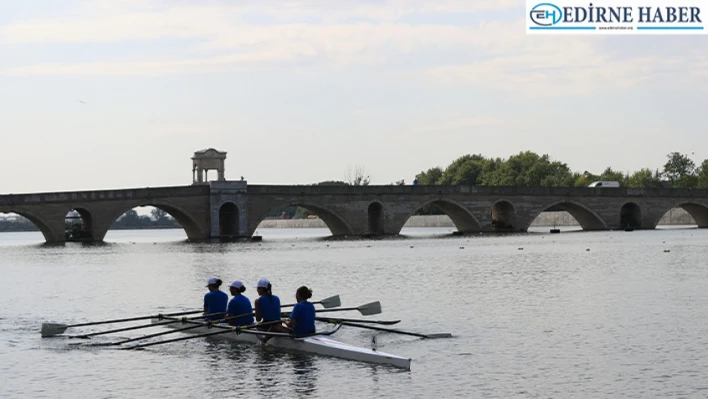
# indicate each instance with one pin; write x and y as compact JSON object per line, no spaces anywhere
{"x":534,"y":315}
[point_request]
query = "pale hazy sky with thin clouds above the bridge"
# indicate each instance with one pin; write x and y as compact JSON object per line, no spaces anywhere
{"x":297,"y":91}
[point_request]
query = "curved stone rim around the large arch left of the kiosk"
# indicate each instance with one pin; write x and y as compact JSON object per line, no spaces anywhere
{"x":181,"y":215}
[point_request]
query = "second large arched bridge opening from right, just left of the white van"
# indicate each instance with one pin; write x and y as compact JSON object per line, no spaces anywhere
{"x":569,"y":216}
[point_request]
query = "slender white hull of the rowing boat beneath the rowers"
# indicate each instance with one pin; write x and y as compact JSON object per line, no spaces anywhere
{"x":317,"y":344}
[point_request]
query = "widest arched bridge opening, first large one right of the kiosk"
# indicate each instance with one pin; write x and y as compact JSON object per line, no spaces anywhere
{"x":319,"y":222}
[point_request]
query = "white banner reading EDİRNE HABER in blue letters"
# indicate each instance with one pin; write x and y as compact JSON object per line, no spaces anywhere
{"x":616,"y":17}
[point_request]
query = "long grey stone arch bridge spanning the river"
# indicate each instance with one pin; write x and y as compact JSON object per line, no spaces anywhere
{"x":234,"y":208}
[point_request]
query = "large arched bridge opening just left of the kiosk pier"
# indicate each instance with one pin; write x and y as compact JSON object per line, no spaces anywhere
{"x":149,"y":223}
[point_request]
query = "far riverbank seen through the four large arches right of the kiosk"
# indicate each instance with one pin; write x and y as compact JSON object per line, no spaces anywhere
{"x":676,"y":216}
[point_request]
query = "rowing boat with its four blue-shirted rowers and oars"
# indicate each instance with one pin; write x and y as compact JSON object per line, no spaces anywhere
{"x":283,"y":330}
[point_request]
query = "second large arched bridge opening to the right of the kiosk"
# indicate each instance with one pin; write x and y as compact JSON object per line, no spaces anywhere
{"x":441,"y":217}
